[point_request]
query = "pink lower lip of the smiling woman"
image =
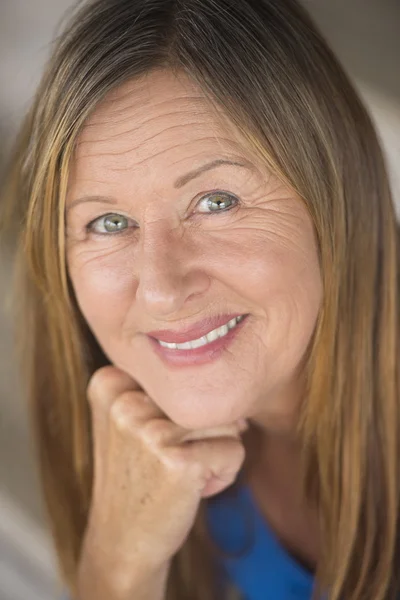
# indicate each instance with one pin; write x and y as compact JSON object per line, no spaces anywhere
{"x":197,"y":356}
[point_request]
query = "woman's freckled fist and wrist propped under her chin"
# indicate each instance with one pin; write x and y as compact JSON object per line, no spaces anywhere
{"x":149,"y":476}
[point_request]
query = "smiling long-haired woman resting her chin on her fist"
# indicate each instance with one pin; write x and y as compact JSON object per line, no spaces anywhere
{"x":201,"y":172}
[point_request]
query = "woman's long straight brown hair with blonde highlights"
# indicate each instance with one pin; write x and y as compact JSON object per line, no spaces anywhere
{"x":265,"y":64}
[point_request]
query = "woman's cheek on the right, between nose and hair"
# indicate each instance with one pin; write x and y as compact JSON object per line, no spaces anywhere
{"x":281,"y":283}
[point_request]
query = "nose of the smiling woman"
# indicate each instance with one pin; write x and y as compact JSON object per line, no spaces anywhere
{"x":168,"y":271}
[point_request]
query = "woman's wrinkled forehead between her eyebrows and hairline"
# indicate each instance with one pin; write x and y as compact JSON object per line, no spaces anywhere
{"x":161,"y":117}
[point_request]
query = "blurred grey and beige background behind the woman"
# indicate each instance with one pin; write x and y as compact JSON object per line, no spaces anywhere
{"x":366,"y":37}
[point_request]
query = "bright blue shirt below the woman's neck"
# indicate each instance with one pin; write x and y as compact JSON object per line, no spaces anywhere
{"x":257,"y":563}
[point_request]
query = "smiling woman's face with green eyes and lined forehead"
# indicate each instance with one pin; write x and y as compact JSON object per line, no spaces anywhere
{"x":173,"y":231}
